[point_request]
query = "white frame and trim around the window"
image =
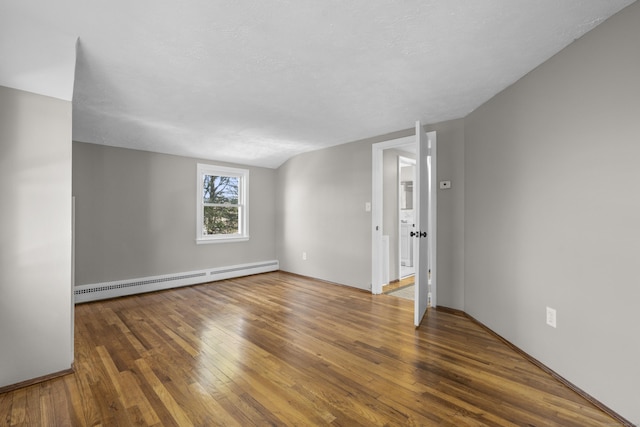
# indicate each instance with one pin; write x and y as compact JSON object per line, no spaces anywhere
{"x":243,"y":204}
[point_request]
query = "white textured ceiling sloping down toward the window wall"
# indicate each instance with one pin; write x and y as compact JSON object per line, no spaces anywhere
{"x":258,"y":81}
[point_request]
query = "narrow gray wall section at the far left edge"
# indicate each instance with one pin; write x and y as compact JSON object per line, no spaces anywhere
{"x":35,"y":225}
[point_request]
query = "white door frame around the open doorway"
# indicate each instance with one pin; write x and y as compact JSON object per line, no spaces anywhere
{"x":377,"y":150}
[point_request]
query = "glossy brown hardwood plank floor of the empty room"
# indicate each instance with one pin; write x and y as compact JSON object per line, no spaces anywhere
{"x":279,"y":349}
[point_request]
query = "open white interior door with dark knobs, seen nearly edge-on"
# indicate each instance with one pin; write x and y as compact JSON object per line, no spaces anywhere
{"x":421,"y":212}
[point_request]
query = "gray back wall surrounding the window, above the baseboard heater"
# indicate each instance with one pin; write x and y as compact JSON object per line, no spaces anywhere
{"x":136,"y":216}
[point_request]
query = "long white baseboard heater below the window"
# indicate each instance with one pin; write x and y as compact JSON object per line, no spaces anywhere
{"x":104,"y":290}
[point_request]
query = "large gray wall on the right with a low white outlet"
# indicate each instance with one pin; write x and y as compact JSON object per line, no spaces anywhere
{"x":552,"y":211}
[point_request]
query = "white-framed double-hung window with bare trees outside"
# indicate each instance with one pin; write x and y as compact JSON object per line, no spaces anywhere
{"x":222,"y":204}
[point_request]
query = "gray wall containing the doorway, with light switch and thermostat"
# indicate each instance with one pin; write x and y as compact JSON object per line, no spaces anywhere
{"x":321,"y":210}
